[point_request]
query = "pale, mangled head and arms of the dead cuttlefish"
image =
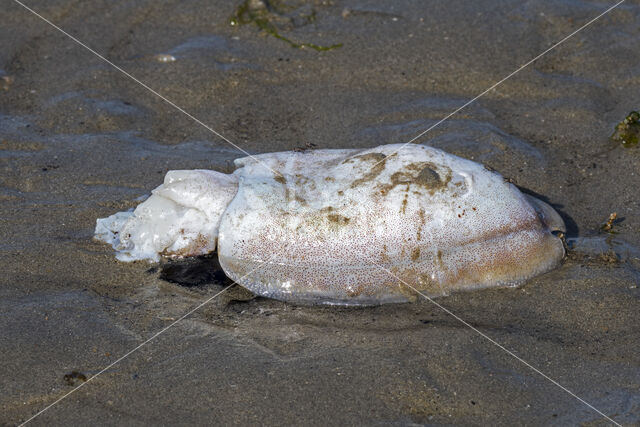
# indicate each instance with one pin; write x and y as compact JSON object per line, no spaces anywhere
{"x":179,"y":219}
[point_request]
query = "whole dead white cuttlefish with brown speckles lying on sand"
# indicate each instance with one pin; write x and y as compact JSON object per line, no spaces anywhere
{"x":350,"y":226}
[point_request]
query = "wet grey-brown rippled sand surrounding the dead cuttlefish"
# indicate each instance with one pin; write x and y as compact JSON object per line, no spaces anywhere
{"x":79,"y":141}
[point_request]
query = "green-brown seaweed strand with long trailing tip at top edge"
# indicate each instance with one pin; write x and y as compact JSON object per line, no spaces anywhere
{"x":266,"y":15}
